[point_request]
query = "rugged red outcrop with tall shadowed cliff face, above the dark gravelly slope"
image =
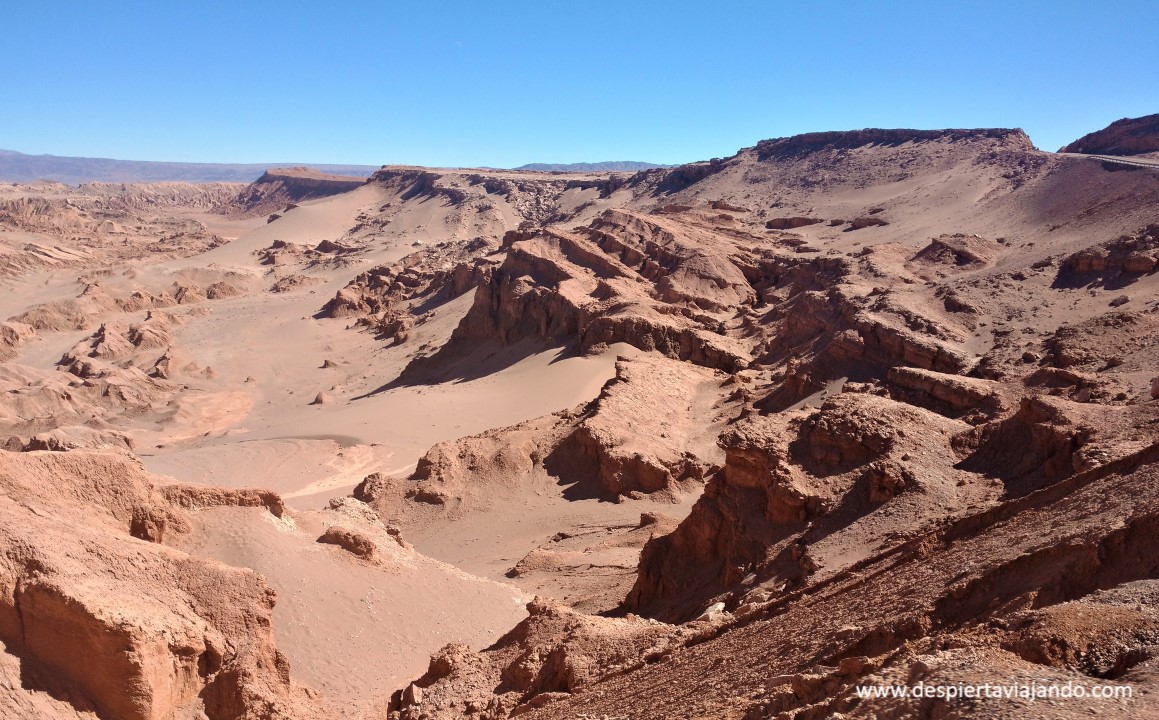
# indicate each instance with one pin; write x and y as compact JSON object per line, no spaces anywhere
{"x":783,"y":478}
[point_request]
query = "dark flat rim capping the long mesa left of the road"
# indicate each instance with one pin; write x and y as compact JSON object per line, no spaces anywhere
{"x":815,"y":142}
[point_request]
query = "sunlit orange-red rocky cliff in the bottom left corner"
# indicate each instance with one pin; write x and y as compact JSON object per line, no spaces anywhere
{"x":99,"y":609}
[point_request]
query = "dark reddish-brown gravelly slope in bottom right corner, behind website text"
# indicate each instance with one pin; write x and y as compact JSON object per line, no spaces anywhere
{"x":995,"y":594}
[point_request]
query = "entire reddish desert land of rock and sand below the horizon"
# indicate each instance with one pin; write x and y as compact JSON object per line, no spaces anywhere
{"x":726,"y":440}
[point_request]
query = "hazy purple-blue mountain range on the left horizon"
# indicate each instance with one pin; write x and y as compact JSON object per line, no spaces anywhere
{"x":19,"y":168}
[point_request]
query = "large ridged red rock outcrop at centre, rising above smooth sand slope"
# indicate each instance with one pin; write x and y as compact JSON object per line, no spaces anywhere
{"x":625,"y":279}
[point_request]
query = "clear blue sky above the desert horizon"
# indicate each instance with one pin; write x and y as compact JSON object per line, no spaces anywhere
{"x":502,"y":84}
